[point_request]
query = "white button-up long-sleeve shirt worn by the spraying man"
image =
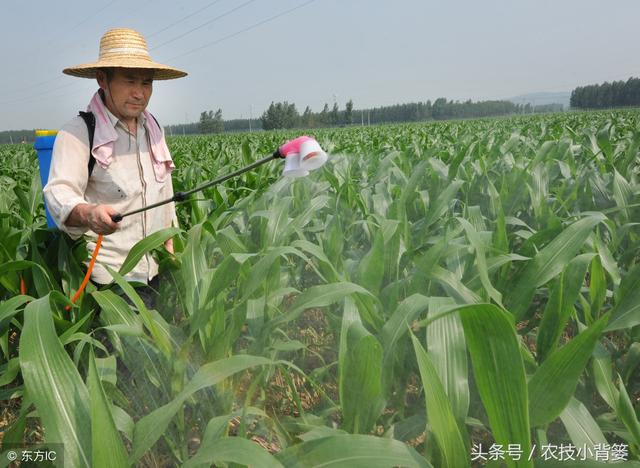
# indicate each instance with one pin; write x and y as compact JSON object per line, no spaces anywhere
{"x":128,"y":183}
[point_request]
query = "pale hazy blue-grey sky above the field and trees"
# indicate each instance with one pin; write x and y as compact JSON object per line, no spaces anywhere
{"x":243,"y":54}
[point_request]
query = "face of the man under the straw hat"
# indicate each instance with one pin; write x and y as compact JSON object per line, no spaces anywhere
{"x":128,"y":92}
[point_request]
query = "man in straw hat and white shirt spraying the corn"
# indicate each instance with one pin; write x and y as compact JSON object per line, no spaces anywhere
{"x":132,"y":167}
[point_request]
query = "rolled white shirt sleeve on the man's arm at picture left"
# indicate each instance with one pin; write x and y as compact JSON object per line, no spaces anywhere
{"x":68,"y":176}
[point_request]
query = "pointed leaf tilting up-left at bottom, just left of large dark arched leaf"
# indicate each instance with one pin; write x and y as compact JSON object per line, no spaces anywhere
{"x":441,"y":419}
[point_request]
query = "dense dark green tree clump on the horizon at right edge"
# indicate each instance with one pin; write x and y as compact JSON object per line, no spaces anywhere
{"x":605,"y":95}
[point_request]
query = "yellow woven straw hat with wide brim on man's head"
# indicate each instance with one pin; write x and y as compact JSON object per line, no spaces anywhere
{"x":124,"y":48}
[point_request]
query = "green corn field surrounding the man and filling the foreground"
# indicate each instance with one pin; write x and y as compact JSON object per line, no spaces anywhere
{"x":444,"y":294}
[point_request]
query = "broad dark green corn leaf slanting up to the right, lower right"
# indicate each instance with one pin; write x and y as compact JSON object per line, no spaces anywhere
{"x":553,"y":384}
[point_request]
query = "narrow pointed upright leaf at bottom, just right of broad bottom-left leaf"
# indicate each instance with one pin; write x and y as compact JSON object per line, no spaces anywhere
{"x":108,"y":449}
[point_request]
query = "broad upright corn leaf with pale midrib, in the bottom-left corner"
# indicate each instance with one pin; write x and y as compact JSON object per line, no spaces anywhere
{"x":54,"y":385}
